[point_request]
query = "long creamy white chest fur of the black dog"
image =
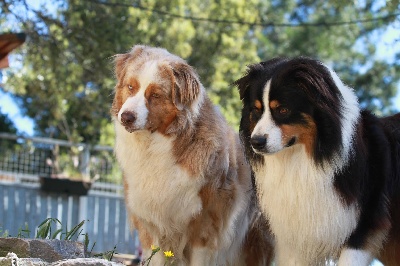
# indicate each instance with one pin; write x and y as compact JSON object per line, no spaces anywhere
{"x":306,"y":214}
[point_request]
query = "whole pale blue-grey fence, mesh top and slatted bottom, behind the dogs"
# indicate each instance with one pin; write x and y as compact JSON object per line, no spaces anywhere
{"x":24,"y":205}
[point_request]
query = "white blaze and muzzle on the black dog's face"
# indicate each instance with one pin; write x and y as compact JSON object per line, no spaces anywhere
{"x":267,"y":127}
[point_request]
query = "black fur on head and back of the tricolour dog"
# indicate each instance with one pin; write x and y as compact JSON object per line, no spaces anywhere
{"x":371,"y":176}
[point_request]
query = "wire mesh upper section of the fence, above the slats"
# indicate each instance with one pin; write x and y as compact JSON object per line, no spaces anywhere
{"x":58,"y":158}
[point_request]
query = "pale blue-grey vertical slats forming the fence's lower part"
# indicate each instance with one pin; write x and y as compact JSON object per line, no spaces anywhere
{"x":24,"y":205}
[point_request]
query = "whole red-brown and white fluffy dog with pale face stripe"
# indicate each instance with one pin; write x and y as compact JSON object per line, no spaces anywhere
{"x":187,"y":184}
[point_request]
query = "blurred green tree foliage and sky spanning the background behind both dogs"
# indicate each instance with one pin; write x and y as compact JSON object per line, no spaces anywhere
{"x":65,"y":77}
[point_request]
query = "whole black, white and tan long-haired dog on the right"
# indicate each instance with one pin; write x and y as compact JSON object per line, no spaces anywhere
{"x":327,"y":173}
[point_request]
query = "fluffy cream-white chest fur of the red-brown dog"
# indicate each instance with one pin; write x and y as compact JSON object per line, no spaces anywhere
{"x":159,"y":190}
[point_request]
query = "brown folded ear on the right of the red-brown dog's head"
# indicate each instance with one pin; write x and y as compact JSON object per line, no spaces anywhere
{"x":186,"y":85}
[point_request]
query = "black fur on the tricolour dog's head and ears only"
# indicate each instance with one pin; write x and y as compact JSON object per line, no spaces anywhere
{"x":307,"y":87}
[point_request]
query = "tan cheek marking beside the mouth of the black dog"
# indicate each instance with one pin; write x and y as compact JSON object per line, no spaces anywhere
{"x":305,"y":134}
